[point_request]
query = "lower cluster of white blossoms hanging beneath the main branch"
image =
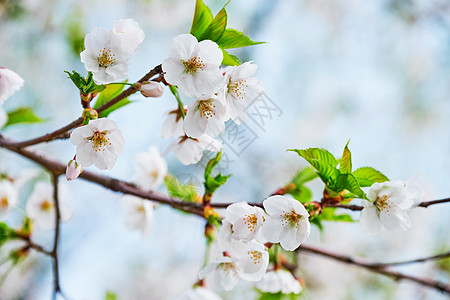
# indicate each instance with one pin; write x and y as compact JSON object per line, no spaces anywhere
{"x":241,"y":252}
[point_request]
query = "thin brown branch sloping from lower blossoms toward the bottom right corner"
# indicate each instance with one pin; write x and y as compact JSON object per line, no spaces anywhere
{"x":376,"y":268}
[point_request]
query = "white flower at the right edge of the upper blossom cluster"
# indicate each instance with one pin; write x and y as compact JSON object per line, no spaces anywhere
{"x":241,"y":90}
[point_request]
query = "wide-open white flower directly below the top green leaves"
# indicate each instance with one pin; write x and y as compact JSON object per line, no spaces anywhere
{"x":194,"y":66}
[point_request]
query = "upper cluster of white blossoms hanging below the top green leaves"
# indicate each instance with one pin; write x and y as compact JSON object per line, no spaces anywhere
{"x":220,"y":94}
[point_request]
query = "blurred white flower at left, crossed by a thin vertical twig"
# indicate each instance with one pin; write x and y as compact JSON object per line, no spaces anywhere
{"x":41,"y":206}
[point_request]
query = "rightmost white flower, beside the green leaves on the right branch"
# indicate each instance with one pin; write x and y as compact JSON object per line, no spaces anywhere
{"x":389,"y":207}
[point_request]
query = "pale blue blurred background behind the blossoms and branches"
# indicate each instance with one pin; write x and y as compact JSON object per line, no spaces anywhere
{"x":375,"y":72}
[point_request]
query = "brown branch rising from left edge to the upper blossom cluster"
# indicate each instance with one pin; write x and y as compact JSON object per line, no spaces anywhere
{"x":61,"y":132}
